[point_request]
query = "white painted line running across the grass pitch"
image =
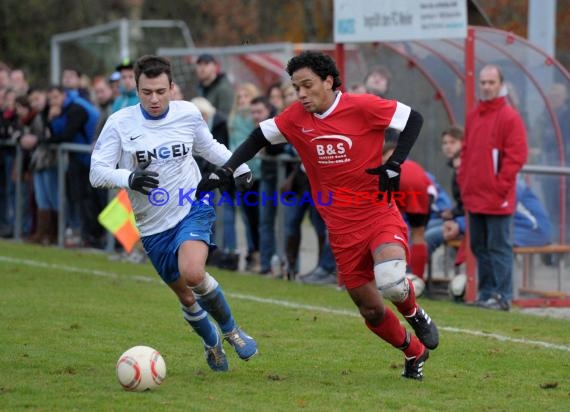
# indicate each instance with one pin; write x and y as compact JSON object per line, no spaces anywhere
{"x":95,"y":272}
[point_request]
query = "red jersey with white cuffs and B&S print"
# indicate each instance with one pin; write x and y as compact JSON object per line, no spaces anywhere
{"x":336,"y":147}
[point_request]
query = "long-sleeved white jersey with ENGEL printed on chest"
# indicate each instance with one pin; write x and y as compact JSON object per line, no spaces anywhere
{"x":130,"y":138}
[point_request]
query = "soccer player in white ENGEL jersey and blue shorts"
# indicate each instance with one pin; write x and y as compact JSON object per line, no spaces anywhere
{"x":147,"y":148}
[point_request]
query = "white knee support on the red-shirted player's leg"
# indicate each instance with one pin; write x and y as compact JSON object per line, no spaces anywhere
{"x":391,"y":279}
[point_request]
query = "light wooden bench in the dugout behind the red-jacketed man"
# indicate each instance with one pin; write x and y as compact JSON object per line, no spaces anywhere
{"x":527,"y":253}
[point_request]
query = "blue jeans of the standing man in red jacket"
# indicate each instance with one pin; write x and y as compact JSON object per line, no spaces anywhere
{"x":491,"y":243}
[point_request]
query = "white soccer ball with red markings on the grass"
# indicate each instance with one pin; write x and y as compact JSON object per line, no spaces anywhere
{"x":140,"y":368}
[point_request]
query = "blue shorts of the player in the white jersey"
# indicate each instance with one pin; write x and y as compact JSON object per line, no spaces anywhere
{"x":162,"y":248}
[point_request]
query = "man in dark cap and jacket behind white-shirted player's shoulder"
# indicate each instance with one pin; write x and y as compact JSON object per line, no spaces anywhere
{"x":214,"y":85}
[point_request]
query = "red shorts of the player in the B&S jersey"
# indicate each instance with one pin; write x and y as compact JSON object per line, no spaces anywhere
{"x":354,"y":251}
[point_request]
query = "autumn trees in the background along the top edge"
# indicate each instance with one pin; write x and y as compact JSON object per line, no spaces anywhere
{"x":27,"y":25}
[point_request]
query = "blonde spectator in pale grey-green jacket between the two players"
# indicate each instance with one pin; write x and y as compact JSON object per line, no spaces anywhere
{"x":240,"y":125}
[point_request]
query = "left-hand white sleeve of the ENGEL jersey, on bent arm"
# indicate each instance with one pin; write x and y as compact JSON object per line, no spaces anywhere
{"x":104,"y":159}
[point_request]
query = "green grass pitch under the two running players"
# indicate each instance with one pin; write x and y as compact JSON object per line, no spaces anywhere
{"x":67,"y":315}
